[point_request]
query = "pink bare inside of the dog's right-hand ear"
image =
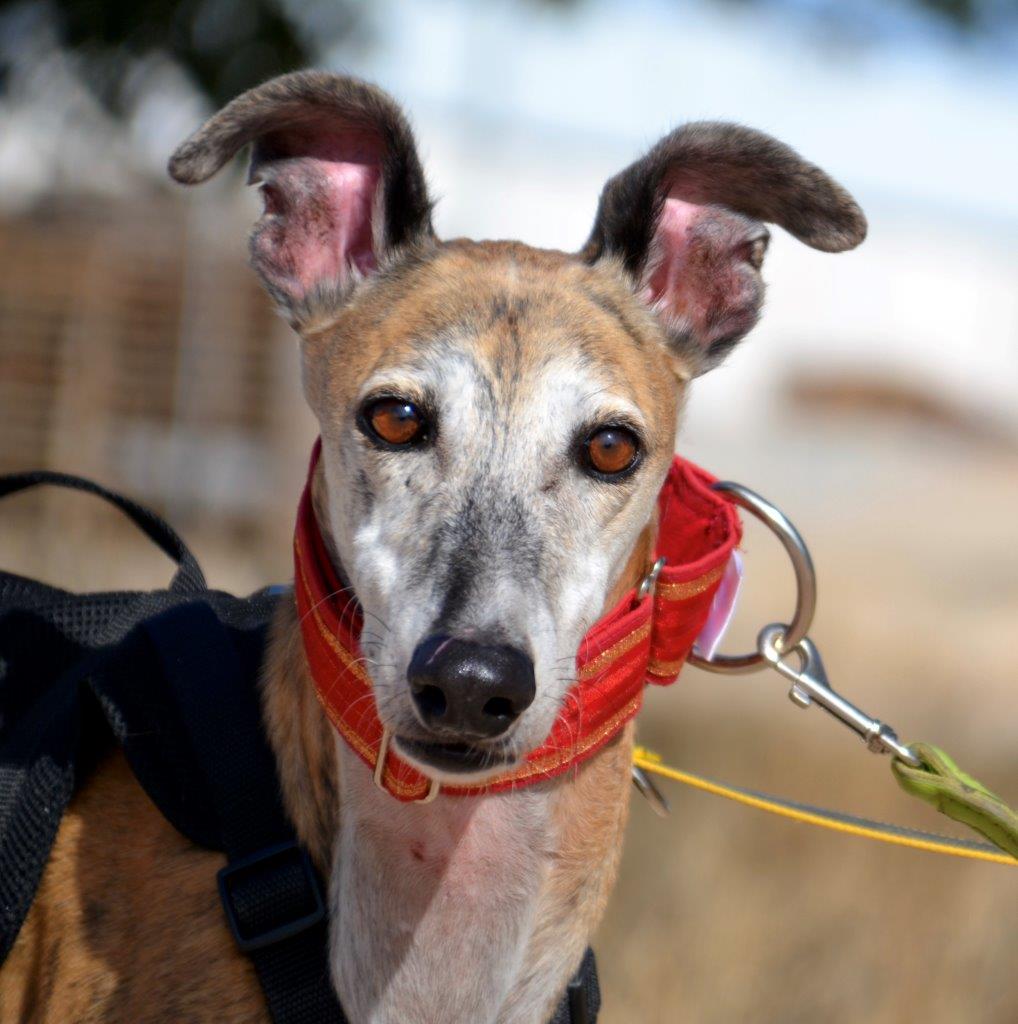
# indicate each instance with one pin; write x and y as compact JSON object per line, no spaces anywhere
{"x":700,"y":278}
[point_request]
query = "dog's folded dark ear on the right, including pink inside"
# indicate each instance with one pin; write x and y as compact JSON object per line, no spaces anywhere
{"x":688,"y":225}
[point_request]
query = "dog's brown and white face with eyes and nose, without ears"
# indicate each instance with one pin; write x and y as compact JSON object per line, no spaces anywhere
{"x":490,"y":533}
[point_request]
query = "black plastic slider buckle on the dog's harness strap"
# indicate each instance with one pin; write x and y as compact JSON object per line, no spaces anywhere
{"x":282,"y":875}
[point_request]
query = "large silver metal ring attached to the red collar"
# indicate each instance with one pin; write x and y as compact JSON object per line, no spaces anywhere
{"x":805,"y":582}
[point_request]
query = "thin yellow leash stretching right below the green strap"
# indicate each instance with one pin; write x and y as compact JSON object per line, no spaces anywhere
{"x":651,"y":762}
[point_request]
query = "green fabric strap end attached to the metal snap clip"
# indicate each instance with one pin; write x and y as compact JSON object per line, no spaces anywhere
{"x":942,"y":784}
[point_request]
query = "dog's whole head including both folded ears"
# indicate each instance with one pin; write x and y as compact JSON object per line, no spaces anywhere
{"x":496,"y":420}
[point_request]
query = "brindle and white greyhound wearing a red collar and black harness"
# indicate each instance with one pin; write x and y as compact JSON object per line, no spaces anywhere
{"x":496,"y":424}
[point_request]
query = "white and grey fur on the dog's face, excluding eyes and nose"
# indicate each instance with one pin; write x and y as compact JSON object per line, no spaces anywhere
{"x":492,"y":530}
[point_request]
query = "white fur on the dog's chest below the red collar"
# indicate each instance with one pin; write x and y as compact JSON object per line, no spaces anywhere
{"x":434,"y":906}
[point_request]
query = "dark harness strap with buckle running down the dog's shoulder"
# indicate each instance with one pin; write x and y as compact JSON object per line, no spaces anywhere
{"x":272,"y":895}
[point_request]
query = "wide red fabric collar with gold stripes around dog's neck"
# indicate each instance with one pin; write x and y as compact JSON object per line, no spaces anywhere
{"x":642,"y":641}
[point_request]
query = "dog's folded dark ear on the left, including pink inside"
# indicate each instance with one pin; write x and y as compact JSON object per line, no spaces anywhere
{"x":341,"y":178}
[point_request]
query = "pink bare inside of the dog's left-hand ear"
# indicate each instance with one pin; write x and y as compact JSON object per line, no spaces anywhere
{"x":320,"y":198}
